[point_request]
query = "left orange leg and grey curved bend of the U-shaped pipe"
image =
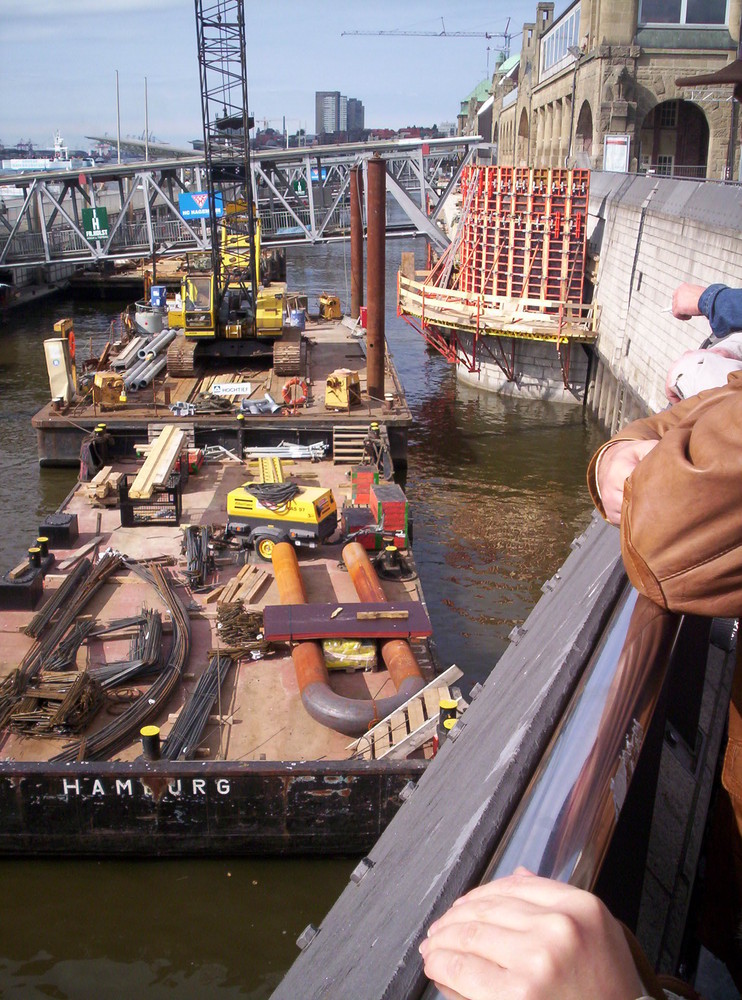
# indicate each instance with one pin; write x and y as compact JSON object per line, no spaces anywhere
{"x":350,"y":716}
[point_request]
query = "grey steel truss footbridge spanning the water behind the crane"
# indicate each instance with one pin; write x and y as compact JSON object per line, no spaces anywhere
{"x":302,"y":196}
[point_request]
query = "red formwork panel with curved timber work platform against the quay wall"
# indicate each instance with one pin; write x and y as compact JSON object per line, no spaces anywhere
{"x":515,"y":269}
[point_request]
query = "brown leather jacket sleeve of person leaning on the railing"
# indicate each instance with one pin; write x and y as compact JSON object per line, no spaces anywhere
{"x":681,"y":520}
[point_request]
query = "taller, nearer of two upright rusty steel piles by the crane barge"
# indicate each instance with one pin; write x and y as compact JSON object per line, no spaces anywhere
{"x":375,"y":265}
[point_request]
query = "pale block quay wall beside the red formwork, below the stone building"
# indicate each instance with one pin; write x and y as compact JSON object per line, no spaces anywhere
{"x":650,"y":234}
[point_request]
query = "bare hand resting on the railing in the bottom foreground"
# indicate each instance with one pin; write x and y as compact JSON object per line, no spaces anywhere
{"x":529,"y":937}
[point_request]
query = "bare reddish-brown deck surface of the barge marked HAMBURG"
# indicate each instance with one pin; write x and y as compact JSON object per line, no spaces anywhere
{"x":263,"y":717}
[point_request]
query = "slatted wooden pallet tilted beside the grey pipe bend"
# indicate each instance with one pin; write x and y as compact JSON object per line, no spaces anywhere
{"x":412,"y":724}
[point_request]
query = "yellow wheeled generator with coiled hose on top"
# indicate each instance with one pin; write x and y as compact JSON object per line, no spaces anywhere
{"x":263,"y":514}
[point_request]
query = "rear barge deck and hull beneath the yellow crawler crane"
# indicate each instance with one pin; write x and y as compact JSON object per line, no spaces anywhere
{"x":259,"y":410}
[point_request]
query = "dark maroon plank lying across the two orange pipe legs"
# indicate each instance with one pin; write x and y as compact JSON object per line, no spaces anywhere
{"x":294,"y":622}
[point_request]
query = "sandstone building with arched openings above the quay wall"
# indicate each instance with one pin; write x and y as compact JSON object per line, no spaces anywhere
{"x":595,"y":86}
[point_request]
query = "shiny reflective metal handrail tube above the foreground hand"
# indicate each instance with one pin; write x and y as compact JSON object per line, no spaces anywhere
{"x":565,"y":821}
